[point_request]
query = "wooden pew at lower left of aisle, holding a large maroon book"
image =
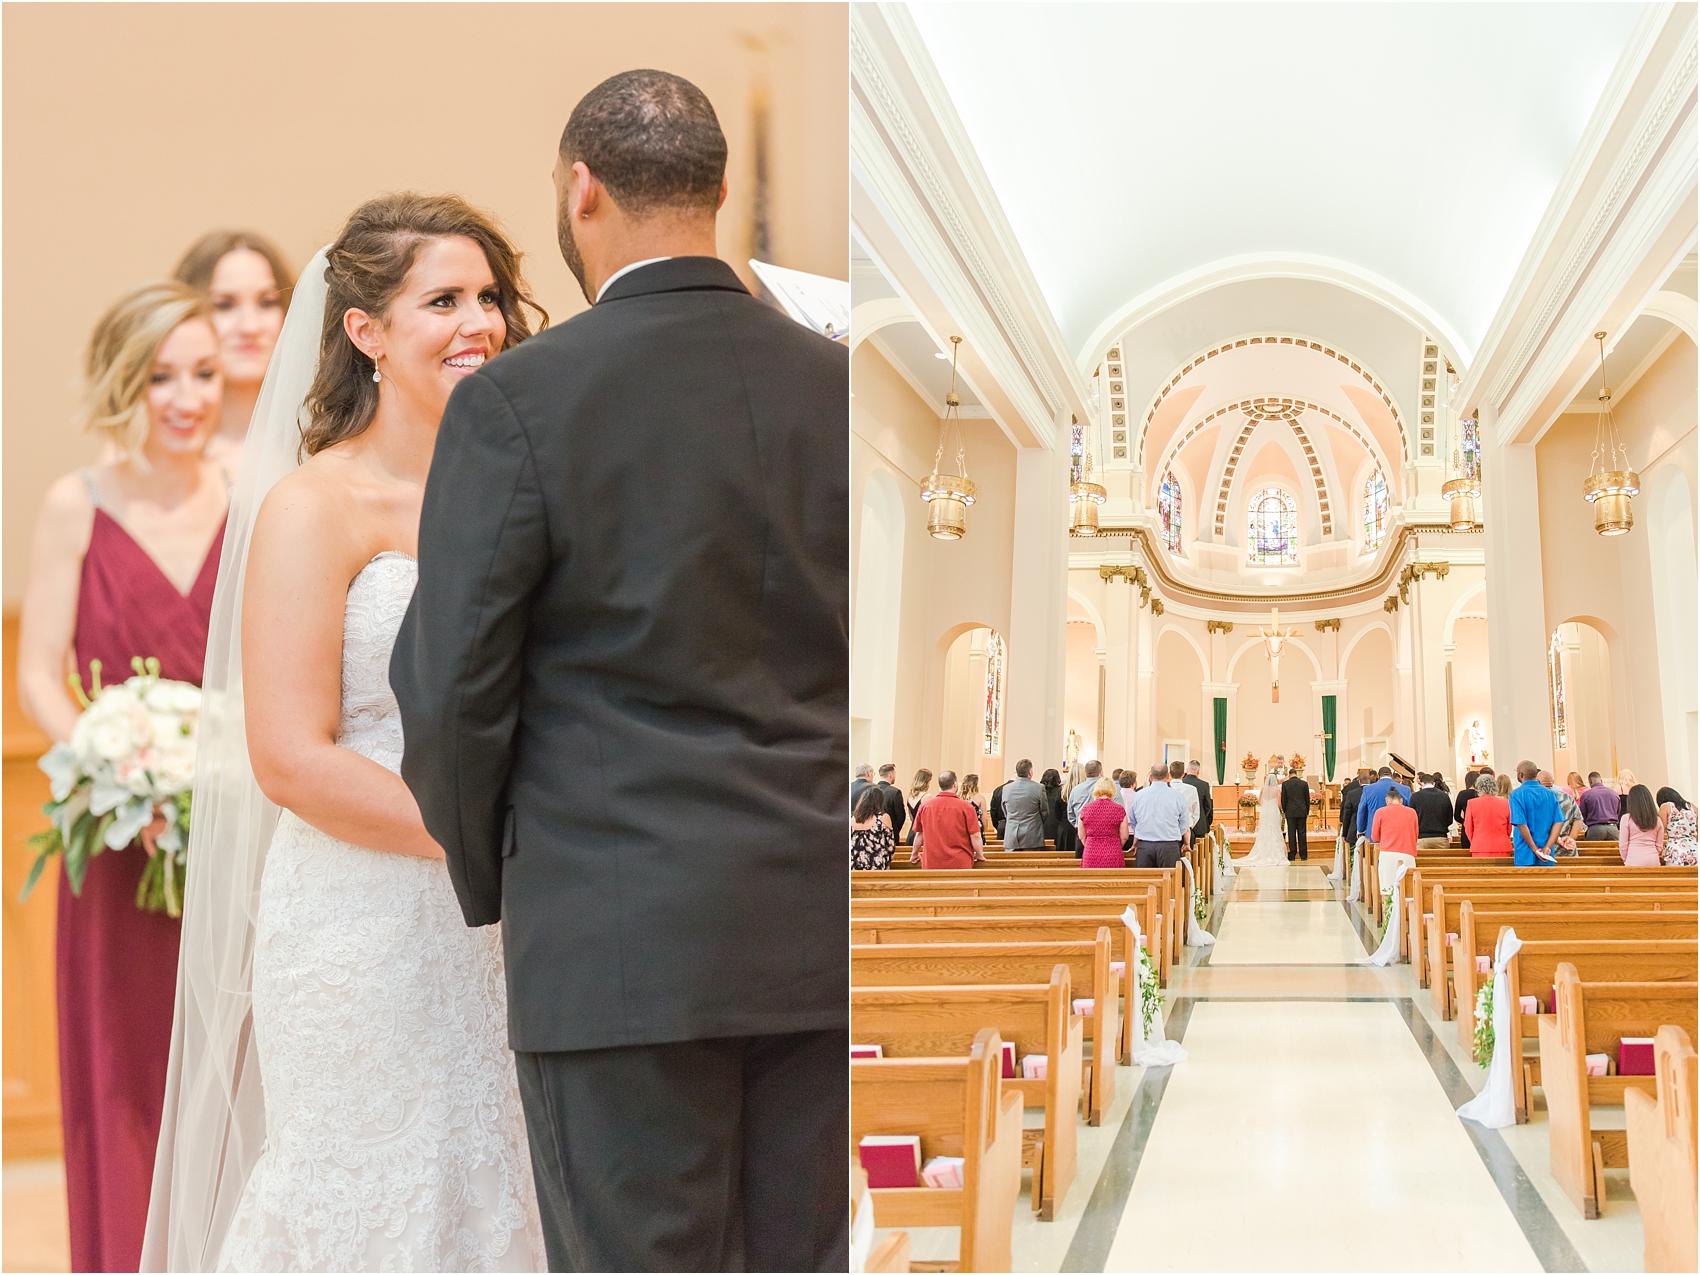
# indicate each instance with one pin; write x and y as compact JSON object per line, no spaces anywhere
{"x":958,"y":1108}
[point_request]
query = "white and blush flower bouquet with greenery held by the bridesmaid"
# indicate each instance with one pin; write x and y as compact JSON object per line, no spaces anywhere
{"x":132,"y":756}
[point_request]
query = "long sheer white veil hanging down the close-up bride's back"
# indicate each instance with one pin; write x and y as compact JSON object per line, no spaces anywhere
{"x":215,"y":1114}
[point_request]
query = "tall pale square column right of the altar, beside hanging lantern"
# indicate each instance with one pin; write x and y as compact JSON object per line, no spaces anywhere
{"x":1517,"y":621}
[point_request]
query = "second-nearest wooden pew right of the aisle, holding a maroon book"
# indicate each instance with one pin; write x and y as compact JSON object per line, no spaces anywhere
{"x":1592,"y":1019}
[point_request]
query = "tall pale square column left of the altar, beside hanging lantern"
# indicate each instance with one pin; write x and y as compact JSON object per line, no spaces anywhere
{"x":1038,"y":606}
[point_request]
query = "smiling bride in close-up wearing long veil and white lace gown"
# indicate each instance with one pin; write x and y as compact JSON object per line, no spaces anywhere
{"x":341,"y":1092}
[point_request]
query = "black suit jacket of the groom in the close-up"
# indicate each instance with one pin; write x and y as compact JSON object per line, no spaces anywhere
{"x":623,"y":677}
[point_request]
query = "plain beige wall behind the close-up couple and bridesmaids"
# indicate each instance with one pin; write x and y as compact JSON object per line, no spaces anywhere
{"x":133,"y":128}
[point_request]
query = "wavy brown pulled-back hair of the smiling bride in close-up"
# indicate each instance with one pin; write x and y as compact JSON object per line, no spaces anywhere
{"x":366,"y":268}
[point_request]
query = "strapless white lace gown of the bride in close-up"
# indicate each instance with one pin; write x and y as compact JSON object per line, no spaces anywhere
{"x":394,"y":1128}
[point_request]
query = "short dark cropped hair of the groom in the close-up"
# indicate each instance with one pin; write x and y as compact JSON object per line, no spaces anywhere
{"x":652,"y":140}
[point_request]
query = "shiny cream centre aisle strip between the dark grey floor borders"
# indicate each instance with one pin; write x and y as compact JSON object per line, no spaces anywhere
{"x":1310,"y":1133}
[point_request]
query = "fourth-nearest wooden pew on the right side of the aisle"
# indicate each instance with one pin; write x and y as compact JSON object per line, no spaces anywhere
{"x":1448,"y":893}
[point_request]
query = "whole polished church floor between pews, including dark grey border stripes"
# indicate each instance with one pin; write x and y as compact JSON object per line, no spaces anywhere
{"x":1312,"y":1128}
